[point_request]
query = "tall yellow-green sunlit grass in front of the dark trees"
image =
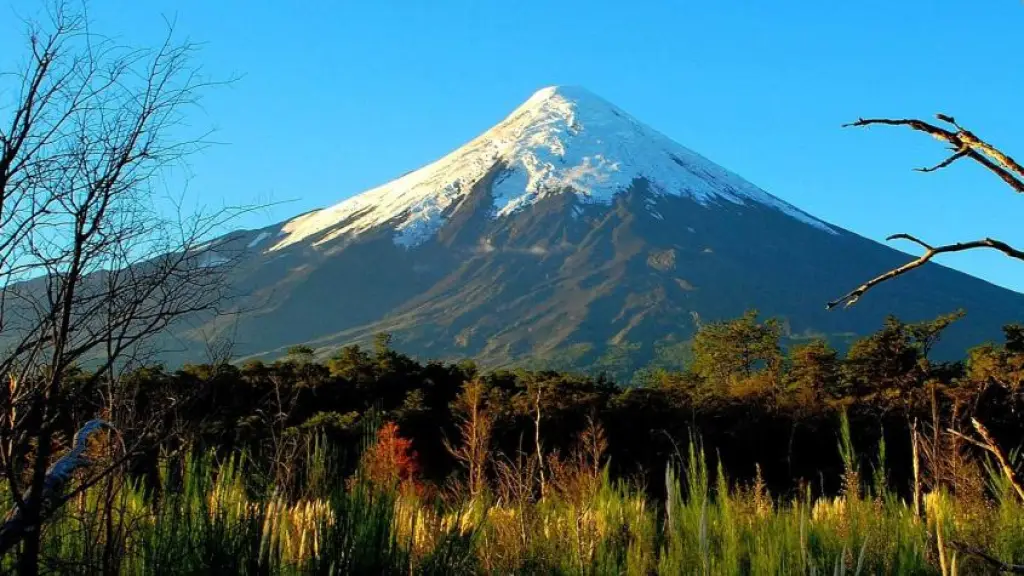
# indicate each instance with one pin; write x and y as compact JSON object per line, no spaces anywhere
{"x":215,"y":522}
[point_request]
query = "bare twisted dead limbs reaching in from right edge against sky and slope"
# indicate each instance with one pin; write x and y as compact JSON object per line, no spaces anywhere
{"x":963,"y":144}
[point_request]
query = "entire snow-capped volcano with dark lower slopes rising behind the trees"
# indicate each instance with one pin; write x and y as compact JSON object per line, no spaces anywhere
{"x":571,"y":233}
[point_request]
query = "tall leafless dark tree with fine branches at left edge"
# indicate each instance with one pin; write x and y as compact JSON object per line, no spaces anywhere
{"x":91,"y":269}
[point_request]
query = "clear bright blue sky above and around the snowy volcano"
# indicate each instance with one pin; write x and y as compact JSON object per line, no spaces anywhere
{"x":335,"y":98}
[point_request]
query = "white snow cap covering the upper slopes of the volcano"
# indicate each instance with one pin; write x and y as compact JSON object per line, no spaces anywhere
{"x":562,"y":140}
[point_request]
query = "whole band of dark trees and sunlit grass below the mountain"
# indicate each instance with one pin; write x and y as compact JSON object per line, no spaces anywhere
{"x":754,"y":460}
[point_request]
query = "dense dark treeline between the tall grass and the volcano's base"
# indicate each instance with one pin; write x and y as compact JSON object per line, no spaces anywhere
{"x":760,"y":406}
